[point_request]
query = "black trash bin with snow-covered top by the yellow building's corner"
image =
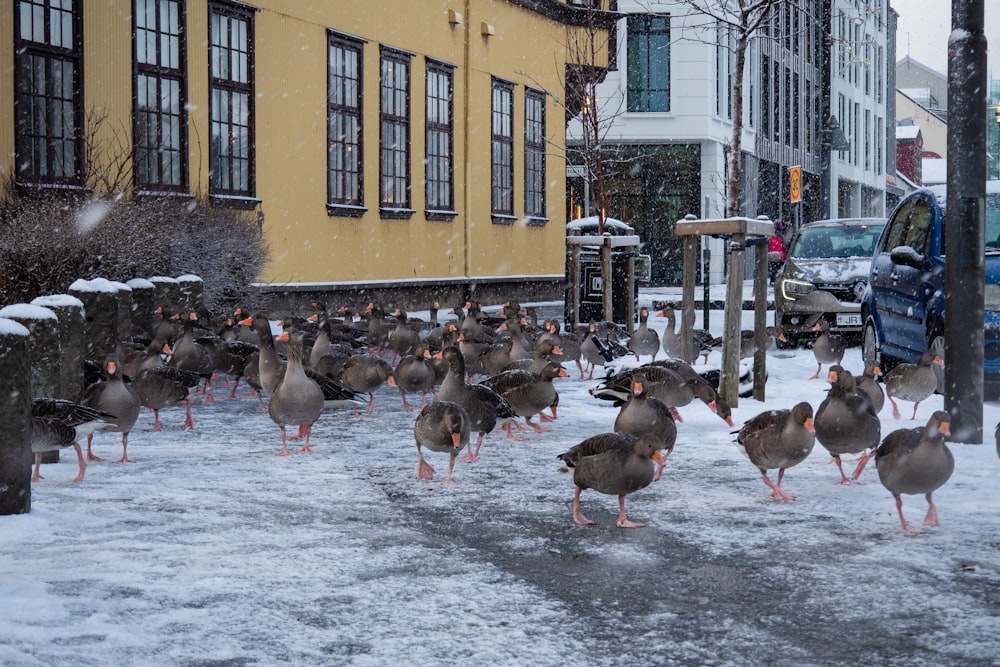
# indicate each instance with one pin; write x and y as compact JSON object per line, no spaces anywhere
{"x":590,"y":289}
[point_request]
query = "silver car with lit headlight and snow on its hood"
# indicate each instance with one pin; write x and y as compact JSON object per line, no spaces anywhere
{"x":824,"y":277}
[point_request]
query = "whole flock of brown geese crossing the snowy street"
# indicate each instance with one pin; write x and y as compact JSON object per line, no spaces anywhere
{"x":489,"y":370}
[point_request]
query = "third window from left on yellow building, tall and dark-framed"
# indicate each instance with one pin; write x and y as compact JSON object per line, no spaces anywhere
{"x":231,"y":135}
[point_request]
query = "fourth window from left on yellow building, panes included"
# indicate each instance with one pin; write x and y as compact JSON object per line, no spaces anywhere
{"x":345,"y":192}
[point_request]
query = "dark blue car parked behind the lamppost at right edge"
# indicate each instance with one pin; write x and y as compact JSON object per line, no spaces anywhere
{"x":903,"y":305}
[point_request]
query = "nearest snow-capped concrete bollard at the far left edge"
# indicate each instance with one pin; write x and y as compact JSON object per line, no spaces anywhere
{"x":15,"y":415}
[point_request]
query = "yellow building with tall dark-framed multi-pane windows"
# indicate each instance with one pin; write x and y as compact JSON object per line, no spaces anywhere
{"x":398,"y":145}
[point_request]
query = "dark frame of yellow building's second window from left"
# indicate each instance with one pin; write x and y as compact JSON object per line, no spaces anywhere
{"x":156,"y":169}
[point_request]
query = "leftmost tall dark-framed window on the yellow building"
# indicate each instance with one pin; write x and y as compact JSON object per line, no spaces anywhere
{"x":48,"y":104}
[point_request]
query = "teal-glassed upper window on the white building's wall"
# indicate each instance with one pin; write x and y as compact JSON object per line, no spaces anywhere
{"x":648,"y":63}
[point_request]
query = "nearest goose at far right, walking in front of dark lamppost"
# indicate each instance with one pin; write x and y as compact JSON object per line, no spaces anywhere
{"x":916,"y":460}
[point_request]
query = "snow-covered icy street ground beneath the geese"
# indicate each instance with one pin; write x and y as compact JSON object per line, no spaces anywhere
{"x":210,"y":550}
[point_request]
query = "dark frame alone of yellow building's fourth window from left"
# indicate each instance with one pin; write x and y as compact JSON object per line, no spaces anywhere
{"x":338,"y":171}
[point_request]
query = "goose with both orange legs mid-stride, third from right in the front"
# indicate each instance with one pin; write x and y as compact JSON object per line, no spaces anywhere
{"x":778,"y":439}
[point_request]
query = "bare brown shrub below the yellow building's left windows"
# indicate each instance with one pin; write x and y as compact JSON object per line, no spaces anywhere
{"x":48,"y":241}
